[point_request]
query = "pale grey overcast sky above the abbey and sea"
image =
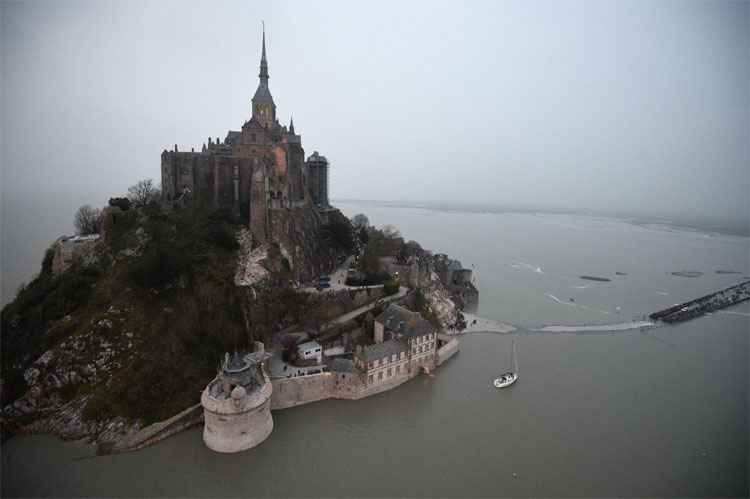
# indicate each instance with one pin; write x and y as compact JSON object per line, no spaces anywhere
{"x":627,"y":106}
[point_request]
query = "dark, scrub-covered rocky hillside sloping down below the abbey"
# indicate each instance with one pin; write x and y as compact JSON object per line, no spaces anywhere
{"x":131,"y":333}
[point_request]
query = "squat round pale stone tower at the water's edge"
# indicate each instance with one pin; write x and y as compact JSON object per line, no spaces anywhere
{"x":237,"y":403}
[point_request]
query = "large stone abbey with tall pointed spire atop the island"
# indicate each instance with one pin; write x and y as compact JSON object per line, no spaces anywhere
{"x":252,"y":172}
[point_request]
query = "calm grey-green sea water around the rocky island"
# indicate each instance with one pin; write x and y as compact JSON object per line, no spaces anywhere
{"x":656,"y":413}
